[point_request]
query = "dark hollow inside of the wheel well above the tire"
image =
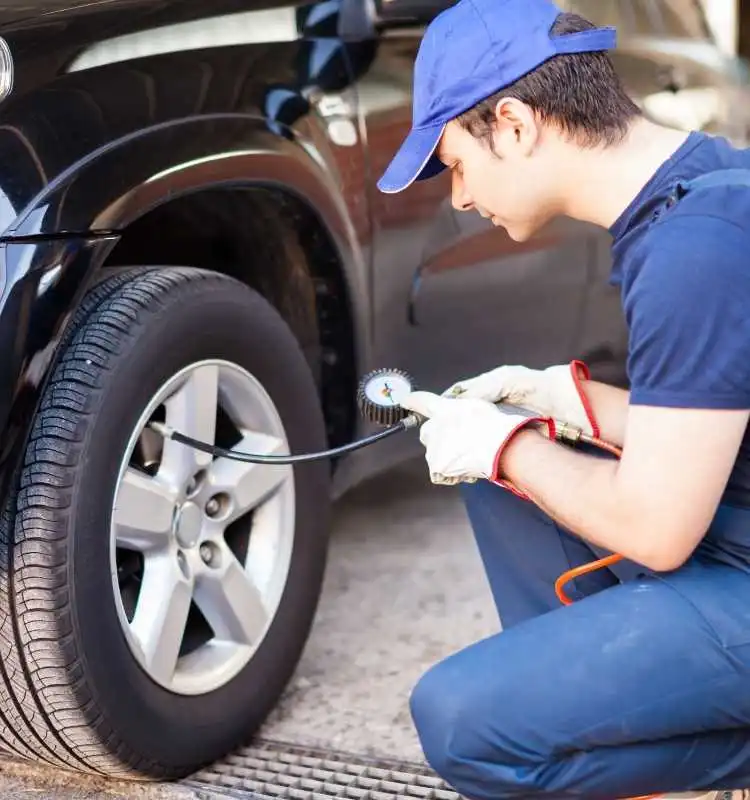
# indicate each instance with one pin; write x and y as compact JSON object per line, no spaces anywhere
{"x":272,"y":241}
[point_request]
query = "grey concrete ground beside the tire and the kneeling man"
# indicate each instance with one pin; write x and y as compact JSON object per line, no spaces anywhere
{"x":404,"y":588}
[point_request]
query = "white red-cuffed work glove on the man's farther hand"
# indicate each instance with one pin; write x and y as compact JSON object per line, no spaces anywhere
{"x":556,"y":392}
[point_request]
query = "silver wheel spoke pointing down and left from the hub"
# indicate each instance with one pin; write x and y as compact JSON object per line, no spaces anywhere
{"x":161,"y":615}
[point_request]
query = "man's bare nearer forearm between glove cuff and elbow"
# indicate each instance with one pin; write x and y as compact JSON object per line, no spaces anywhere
{"x":581,"y":493}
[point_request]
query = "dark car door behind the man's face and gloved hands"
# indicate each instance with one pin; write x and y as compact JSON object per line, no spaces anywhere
{"x":481,"y":299}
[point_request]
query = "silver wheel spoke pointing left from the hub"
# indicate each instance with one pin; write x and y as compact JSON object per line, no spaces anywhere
{"x":143,"y":512}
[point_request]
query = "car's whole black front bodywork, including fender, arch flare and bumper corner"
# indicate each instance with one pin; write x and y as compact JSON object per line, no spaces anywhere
{"x":88,"y":148}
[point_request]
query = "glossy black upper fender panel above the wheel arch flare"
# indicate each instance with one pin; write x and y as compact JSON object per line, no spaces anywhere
{"x":75,"y":110}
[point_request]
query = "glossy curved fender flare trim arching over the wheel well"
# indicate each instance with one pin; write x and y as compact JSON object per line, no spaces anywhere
{"x":107,"y":190}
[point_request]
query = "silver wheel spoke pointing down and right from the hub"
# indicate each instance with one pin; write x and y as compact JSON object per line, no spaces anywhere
{"x":230,"y":601}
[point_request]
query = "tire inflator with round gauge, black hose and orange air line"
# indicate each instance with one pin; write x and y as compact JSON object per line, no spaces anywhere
{"x":378,"y":401}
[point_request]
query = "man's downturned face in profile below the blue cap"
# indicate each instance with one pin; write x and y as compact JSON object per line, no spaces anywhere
{"x":511,"y":186}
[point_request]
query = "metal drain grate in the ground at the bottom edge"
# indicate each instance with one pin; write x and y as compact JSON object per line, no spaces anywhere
{"x":278,"y":770}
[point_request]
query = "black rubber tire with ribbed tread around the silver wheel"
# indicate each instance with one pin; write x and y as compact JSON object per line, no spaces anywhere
{"x":71,"y":691}
